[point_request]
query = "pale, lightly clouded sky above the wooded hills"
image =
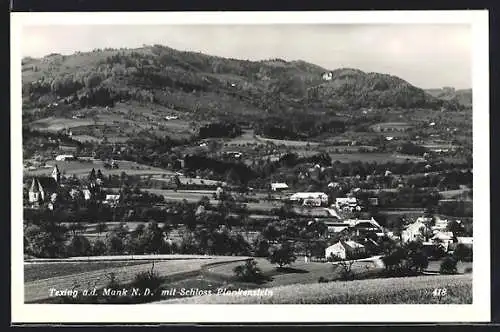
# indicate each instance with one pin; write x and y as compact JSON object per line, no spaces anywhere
{"x":426,"y":55}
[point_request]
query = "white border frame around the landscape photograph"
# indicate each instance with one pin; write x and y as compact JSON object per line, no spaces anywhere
{"x":479,"y":311}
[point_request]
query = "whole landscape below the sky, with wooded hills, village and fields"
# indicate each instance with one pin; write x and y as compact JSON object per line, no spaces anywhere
{"x":159,"y":169}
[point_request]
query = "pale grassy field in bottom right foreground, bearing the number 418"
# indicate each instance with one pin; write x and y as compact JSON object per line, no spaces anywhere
{"x":410,"y":290}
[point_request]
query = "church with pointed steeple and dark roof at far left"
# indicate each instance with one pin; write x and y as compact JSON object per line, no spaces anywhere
{"x":44,"y":188}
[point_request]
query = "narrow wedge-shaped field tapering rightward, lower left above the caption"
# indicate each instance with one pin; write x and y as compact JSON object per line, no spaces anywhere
{"x":39,"y":271}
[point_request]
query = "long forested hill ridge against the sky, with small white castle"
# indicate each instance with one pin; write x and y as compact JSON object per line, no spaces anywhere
{"x":197,"y":82}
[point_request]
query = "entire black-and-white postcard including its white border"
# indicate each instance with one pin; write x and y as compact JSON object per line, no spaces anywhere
{"x":306,"y":166}
